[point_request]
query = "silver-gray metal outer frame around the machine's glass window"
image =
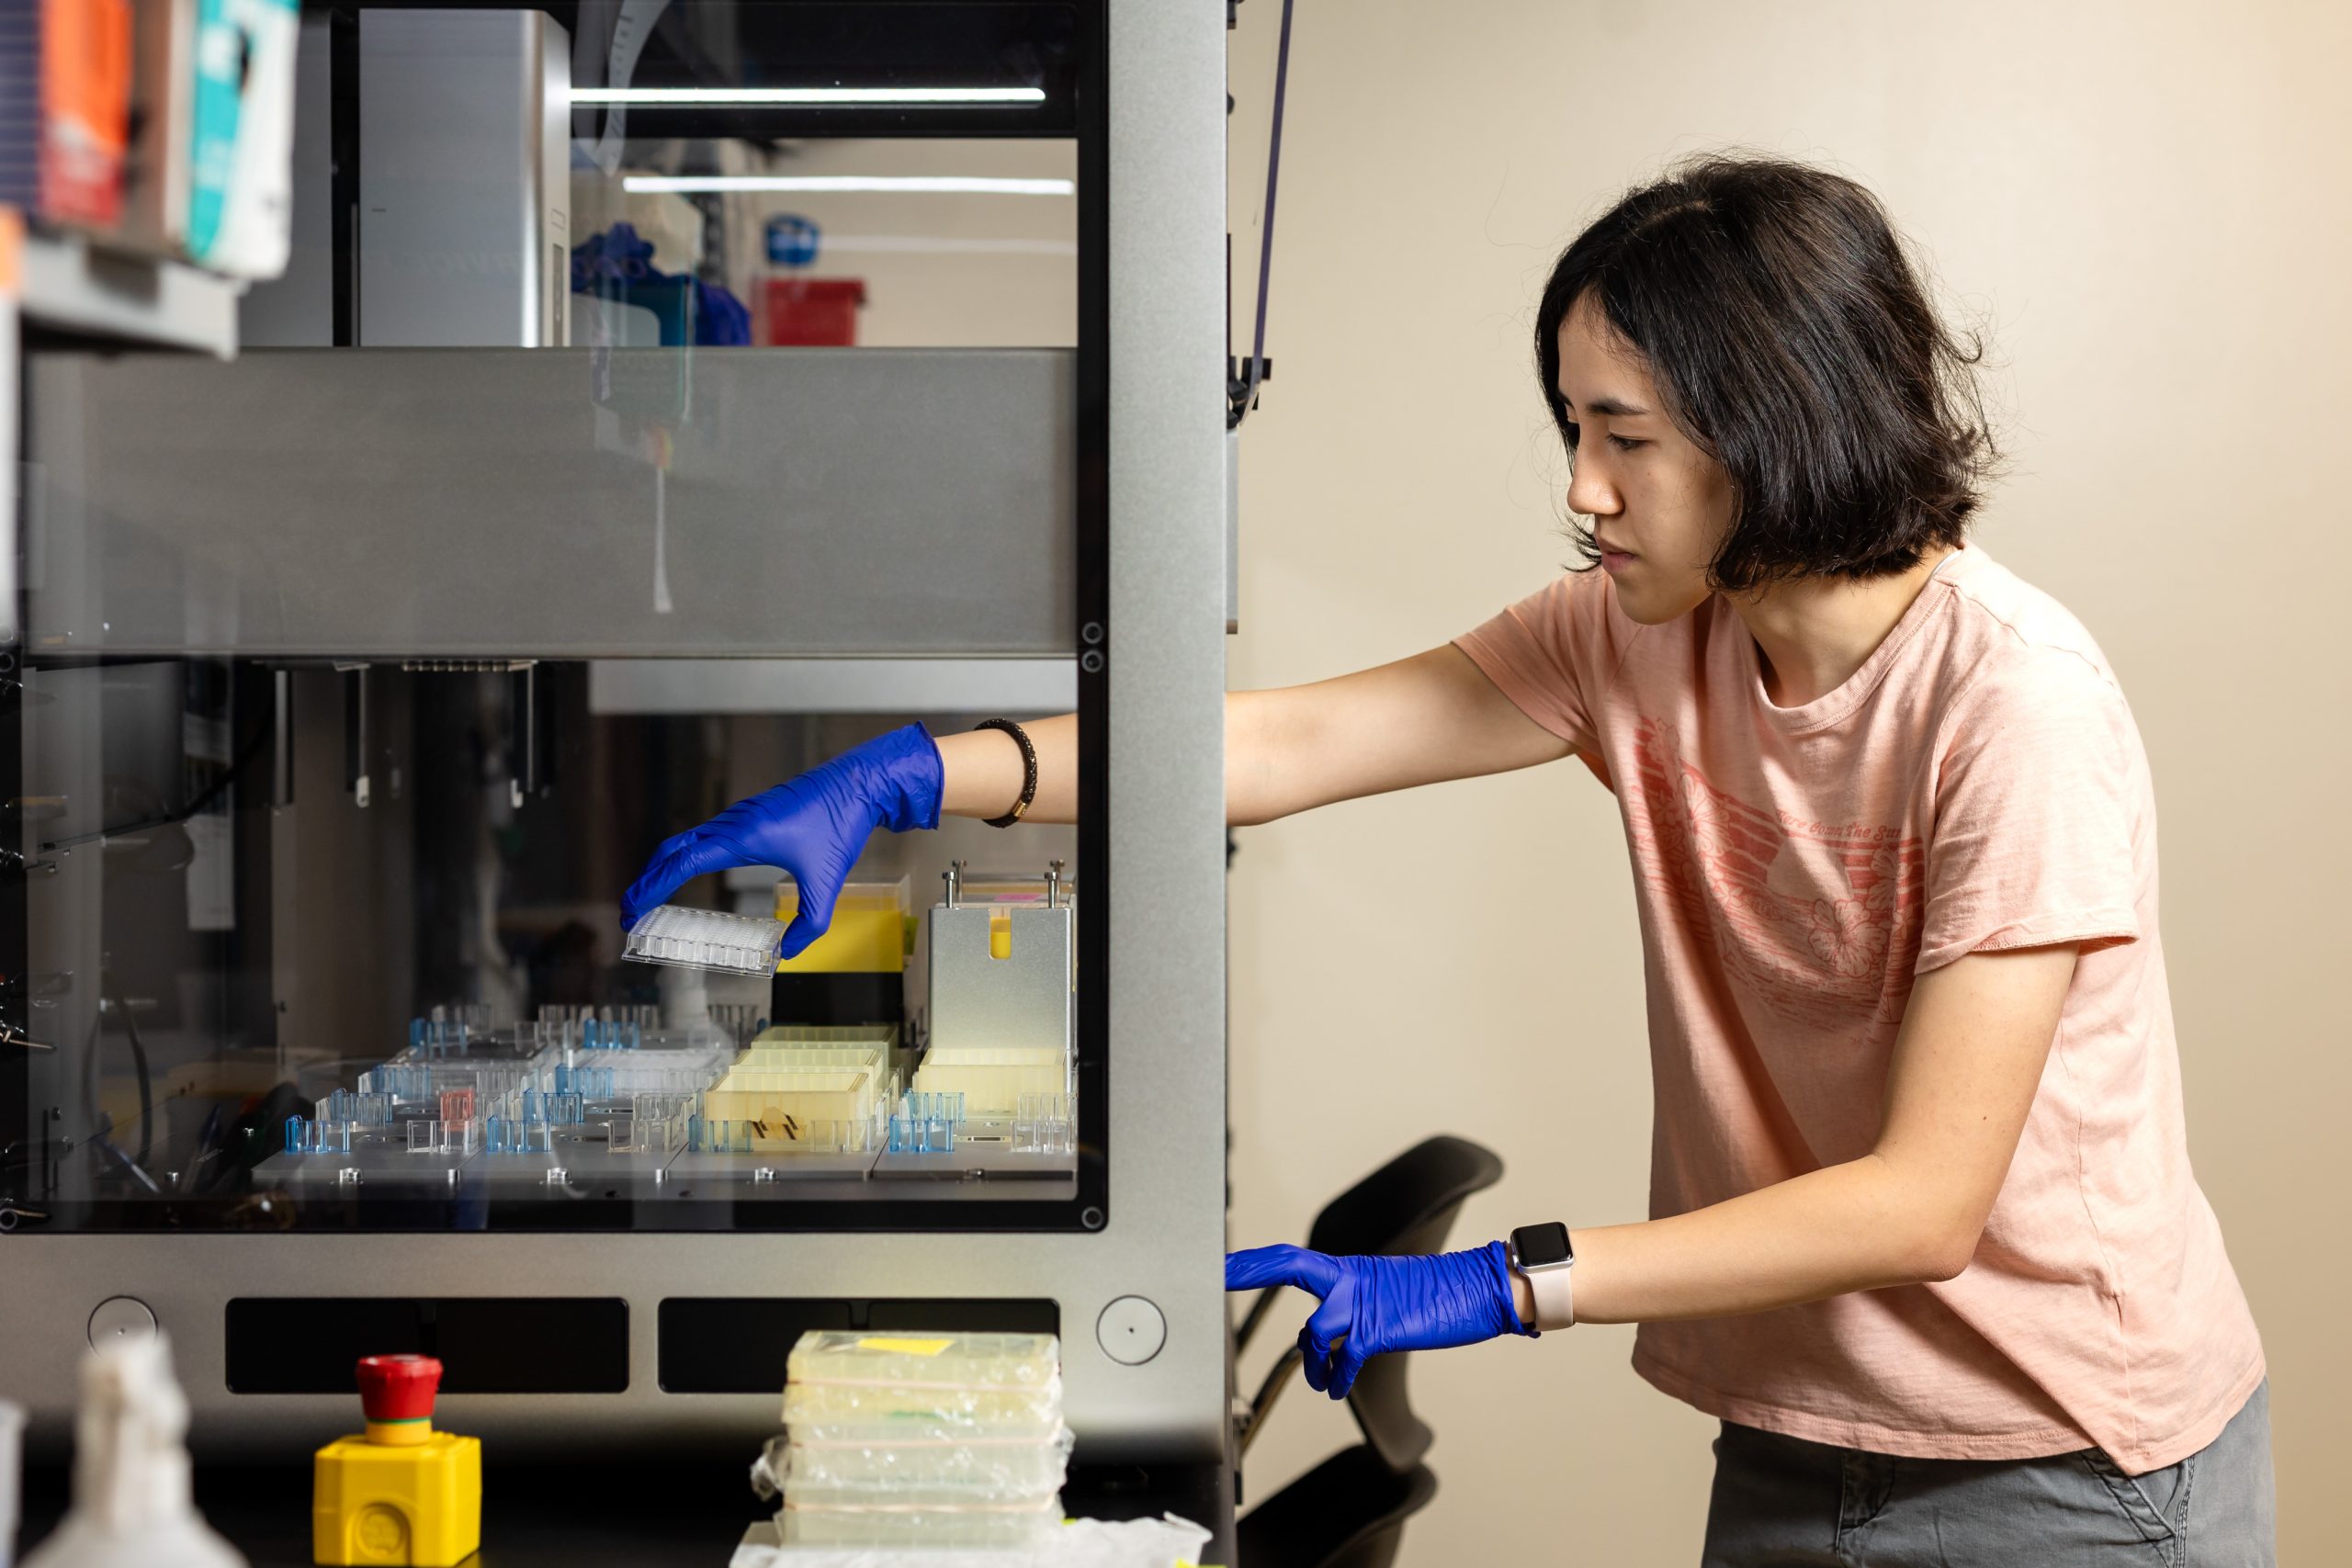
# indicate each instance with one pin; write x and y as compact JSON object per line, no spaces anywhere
{"x":1149,"y":1219}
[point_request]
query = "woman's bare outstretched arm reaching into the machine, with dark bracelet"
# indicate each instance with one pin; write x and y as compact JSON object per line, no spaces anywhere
{"x":1403,"y":725}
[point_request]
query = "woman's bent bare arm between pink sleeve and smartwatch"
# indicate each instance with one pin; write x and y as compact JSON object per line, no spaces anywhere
{"x":1967,"y":1064}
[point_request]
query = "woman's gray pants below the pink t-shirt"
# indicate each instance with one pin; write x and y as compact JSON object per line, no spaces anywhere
{"x":1786,"y":1503}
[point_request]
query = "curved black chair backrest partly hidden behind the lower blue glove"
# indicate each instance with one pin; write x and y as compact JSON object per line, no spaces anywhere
{"x":1403,"y":1209}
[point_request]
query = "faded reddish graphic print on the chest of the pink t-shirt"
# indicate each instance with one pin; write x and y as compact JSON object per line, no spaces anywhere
{"x":1815,"y":920}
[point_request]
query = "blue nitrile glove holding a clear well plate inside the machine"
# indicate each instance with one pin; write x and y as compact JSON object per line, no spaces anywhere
{"x":810,"y":826}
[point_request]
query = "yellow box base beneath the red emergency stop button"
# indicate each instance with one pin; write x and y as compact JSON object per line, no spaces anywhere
{"x":399,"y":1503}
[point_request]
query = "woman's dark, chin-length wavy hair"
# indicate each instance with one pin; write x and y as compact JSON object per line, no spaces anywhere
{"x":1791,"y":340}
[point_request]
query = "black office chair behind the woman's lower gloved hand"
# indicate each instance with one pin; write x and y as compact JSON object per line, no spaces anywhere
{"x":1351,"y":1510}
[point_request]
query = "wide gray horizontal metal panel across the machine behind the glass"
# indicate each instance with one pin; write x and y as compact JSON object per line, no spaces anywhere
{"x":817,"y":504}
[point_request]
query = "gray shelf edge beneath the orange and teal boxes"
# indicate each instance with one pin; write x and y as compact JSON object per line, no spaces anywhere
{"x":86,"y":293}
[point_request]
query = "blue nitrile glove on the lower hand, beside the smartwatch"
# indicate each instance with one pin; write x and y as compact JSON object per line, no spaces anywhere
{"x":1372,"y":1306}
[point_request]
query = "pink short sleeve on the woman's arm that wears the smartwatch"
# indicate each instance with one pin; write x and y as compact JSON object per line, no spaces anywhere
{"x":2040,"y":808}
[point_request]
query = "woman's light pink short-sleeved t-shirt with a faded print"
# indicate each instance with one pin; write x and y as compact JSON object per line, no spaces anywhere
{"x":1975,"y":786}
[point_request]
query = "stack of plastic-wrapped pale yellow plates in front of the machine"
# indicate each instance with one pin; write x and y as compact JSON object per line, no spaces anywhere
{"x":949,"y":1440}
